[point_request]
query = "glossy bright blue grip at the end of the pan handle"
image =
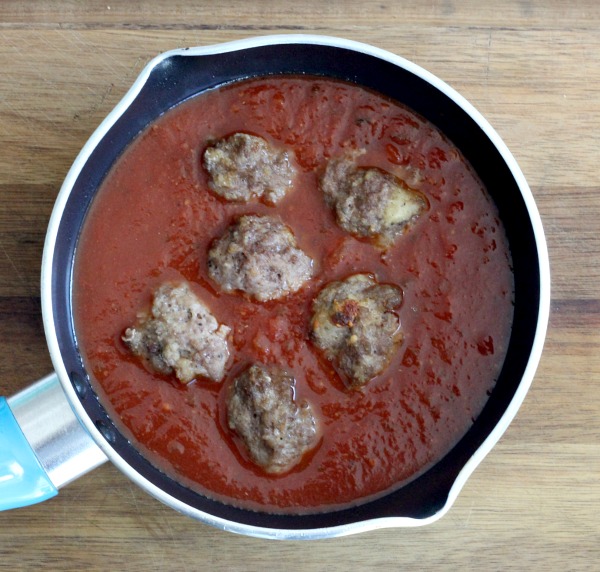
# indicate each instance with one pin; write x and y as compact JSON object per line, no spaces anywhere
{"x":23,"y":481}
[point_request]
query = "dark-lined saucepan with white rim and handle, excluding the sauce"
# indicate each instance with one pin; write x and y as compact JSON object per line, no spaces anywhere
{"x":56,"y":430}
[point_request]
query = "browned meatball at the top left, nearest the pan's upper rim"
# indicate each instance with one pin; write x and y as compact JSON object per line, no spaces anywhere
{"x":243,"y":167}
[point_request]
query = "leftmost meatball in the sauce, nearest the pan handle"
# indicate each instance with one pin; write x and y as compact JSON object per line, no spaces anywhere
{"x":180,"y":335}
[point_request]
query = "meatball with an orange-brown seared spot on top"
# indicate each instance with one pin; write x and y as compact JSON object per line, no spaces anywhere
{"x":355,"y":326}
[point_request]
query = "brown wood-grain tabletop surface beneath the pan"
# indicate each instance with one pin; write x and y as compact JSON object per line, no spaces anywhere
{"x":531,"y":67}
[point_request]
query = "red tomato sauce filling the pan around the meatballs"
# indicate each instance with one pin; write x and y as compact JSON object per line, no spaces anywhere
{"x":154,"y":220}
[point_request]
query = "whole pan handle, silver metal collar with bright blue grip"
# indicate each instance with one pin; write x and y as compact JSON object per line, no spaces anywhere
{"x":43,"y":446}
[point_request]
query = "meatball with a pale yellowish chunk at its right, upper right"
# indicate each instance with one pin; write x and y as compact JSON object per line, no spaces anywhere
{"x":370,"y":202}
